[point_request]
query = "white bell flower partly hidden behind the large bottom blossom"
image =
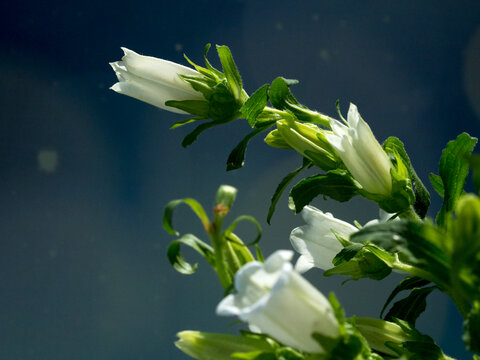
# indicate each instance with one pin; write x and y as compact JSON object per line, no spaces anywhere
{"x":316,"y":241}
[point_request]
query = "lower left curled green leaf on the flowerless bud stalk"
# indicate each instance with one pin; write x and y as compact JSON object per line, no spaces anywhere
{"x":178,"y":262}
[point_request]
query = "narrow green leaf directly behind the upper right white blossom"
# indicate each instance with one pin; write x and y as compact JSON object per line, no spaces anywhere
{"x":422,"y":196}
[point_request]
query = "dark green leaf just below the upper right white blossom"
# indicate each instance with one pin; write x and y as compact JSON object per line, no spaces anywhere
{"x":338,"y":185}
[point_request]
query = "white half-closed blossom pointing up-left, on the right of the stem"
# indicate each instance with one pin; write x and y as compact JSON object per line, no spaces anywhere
{"x":361,"y":153}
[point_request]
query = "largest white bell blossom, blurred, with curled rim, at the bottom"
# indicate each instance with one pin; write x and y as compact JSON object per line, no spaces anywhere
{"x":275,"y":300}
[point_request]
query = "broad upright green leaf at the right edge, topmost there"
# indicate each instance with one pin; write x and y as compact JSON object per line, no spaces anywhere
{"x":454,"y":166}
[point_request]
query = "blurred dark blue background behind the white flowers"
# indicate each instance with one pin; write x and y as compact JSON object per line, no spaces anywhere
{"x":85,"y":173}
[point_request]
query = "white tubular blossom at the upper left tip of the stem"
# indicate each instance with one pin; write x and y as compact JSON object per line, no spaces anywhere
{"x":153,"y":80}
